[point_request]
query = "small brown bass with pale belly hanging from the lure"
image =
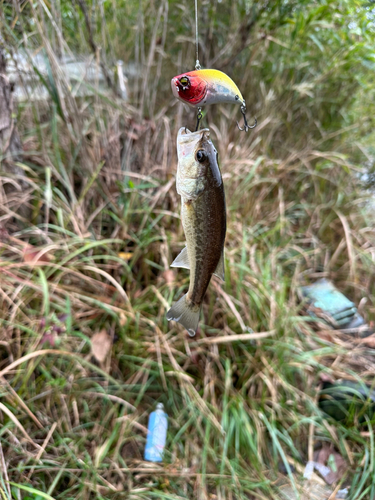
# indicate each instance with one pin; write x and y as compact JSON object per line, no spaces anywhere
{"x":201,"y":188}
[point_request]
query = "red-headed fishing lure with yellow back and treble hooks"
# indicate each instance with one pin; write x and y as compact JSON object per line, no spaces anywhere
{"x":208,"y":86}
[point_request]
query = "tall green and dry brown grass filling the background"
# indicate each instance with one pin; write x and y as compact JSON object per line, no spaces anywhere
{"x":102,"y":216}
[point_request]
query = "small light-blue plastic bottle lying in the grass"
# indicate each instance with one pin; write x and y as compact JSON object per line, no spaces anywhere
{"x":157,"y":434}
